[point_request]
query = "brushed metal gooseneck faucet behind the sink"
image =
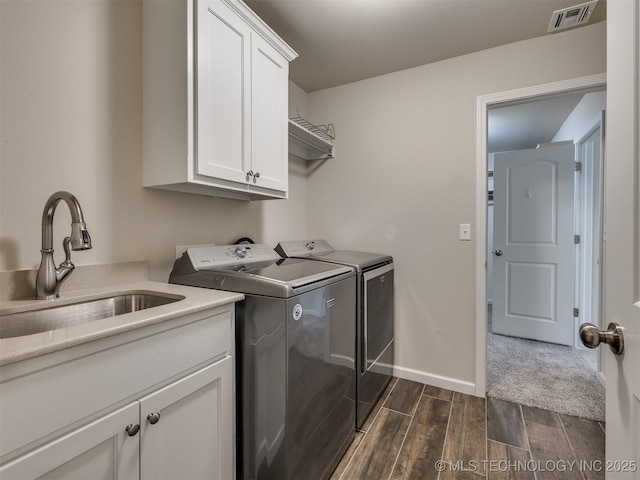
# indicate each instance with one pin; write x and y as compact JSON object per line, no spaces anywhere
{"x":49,"y":277}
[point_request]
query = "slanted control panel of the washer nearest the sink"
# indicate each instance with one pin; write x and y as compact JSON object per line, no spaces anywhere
{"x":225,"y":255}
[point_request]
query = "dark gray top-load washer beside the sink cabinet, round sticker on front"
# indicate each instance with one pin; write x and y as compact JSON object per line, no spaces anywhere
{"x":295,"y":382}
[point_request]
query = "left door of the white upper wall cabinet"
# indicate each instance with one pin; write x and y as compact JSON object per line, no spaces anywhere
{"x":223,"y":98}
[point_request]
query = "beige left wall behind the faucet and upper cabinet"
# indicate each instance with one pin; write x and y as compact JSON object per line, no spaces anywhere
{"x":71,"y":113}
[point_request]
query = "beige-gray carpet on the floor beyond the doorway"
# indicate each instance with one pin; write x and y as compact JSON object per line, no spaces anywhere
{"x":543,"y":375}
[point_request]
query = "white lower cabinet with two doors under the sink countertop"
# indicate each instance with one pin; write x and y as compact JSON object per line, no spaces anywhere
{"x":182,"y":427}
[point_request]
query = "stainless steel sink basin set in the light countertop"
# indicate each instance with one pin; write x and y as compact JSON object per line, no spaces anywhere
{"x":53,"y":317}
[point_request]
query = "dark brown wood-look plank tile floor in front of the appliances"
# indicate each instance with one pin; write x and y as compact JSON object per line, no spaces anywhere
{"x":427,"y":433}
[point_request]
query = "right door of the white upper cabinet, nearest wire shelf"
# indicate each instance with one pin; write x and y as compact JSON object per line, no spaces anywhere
{"x":269,"y":81}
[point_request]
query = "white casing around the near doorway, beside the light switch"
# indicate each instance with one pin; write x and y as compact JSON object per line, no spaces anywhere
{"x":484,"y":103}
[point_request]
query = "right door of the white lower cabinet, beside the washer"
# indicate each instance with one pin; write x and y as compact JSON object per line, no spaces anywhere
{"x":187,"y":427}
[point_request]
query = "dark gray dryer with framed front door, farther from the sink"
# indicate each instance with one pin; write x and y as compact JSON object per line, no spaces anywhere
{"x":375,"y":304}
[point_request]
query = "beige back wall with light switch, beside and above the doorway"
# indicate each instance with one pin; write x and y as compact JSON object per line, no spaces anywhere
{"x":405,"y":178}
